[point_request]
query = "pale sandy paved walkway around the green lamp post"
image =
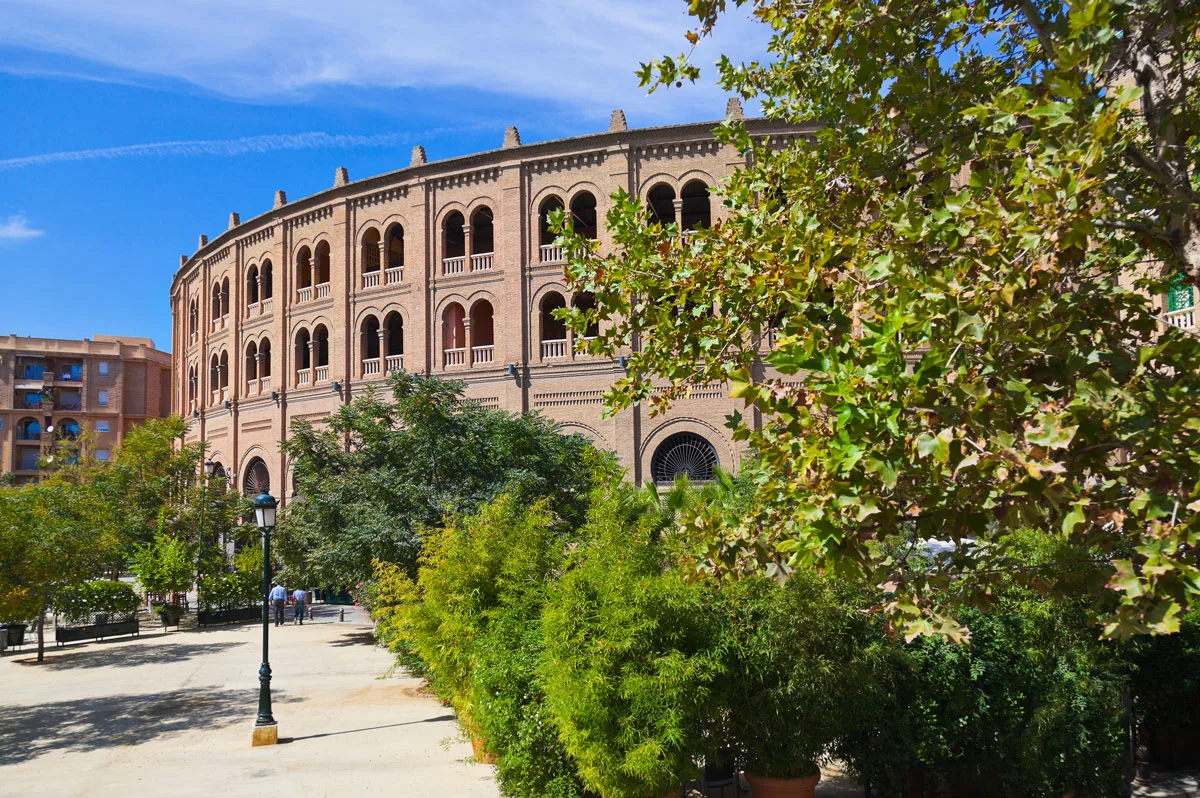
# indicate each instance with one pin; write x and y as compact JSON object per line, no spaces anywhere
{"x":172,"y":715}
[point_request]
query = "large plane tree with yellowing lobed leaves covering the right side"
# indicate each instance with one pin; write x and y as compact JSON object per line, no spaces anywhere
{"x":956,"y":273}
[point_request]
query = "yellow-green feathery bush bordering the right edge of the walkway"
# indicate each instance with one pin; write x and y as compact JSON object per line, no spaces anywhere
{"x":473,"y":622}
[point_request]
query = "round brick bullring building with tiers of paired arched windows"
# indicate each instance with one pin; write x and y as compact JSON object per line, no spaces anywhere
{"x":445,"y":268}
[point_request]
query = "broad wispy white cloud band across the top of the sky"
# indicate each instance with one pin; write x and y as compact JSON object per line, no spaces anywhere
{"x":580,"y":53}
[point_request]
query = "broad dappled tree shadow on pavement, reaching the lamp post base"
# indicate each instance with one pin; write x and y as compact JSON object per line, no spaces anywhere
{"x":112,"y":722}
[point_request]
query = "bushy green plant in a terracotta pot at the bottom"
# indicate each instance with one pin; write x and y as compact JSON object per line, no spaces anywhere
{"x":796,"y":681}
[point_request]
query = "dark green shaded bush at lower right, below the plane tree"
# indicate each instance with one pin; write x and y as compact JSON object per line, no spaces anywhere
{"x":1031,"y":707}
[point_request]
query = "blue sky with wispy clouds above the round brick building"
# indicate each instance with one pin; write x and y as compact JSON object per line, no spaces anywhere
{"x":133,"y":127}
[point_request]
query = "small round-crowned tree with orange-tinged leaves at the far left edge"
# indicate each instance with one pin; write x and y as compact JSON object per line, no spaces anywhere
{"x":52,"y":536}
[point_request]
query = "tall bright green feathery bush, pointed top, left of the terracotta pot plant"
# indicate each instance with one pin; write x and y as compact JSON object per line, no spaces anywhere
{"x":633,"y":655}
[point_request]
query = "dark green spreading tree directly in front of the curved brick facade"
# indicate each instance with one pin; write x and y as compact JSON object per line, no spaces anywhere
{"x":411,"y":461}
